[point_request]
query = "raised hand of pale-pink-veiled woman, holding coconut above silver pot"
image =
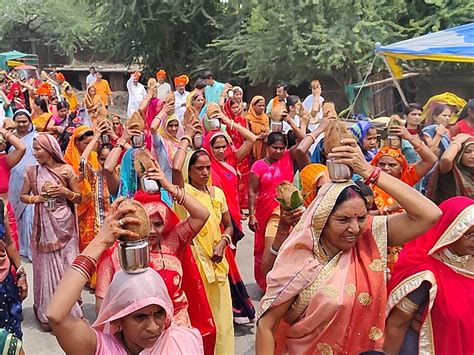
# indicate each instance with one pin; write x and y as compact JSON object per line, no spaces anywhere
{"x":112,"y":228}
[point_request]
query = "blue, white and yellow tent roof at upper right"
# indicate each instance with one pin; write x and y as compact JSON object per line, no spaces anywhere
{"x":454,"y":45}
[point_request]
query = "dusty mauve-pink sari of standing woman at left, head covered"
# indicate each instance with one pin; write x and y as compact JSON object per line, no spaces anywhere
{"x":54,"y":240}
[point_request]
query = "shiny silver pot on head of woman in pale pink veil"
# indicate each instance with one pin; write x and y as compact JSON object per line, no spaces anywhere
{"x":134,"y":256}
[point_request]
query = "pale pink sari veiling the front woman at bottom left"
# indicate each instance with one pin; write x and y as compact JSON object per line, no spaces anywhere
{"x":130,"y":292}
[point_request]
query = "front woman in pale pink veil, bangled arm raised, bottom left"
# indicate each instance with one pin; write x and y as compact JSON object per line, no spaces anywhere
{"x":136,"y":315}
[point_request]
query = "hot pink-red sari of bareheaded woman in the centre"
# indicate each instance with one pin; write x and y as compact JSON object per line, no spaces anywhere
{"x":266,"y":205}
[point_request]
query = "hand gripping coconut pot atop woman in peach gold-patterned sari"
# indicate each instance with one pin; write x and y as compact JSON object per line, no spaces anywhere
{"x":350,"y":154}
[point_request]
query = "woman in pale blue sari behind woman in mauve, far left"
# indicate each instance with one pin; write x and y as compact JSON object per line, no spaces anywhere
{"x":25,"y":130}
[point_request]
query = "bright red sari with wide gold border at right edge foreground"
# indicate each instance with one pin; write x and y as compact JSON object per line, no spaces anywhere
{"x":446,"y":324}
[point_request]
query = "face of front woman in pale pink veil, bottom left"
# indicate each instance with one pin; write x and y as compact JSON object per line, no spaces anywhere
{"x":143,"y":327}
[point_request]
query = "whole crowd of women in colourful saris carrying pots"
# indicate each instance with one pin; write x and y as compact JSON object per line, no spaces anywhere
{"x":363,"y":238}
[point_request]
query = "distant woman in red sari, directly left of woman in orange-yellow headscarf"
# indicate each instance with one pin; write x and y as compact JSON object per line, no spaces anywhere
{"x":233,"y":110}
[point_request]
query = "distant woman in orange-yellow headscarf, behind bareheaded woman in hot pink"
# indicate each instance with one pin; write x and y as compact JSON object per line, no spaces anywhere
{"x":259,"y":124}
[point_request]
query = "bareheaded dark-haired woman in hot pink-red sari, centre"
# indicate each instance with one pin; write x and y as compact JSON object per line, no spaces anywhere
{"x":266,"y":174}
